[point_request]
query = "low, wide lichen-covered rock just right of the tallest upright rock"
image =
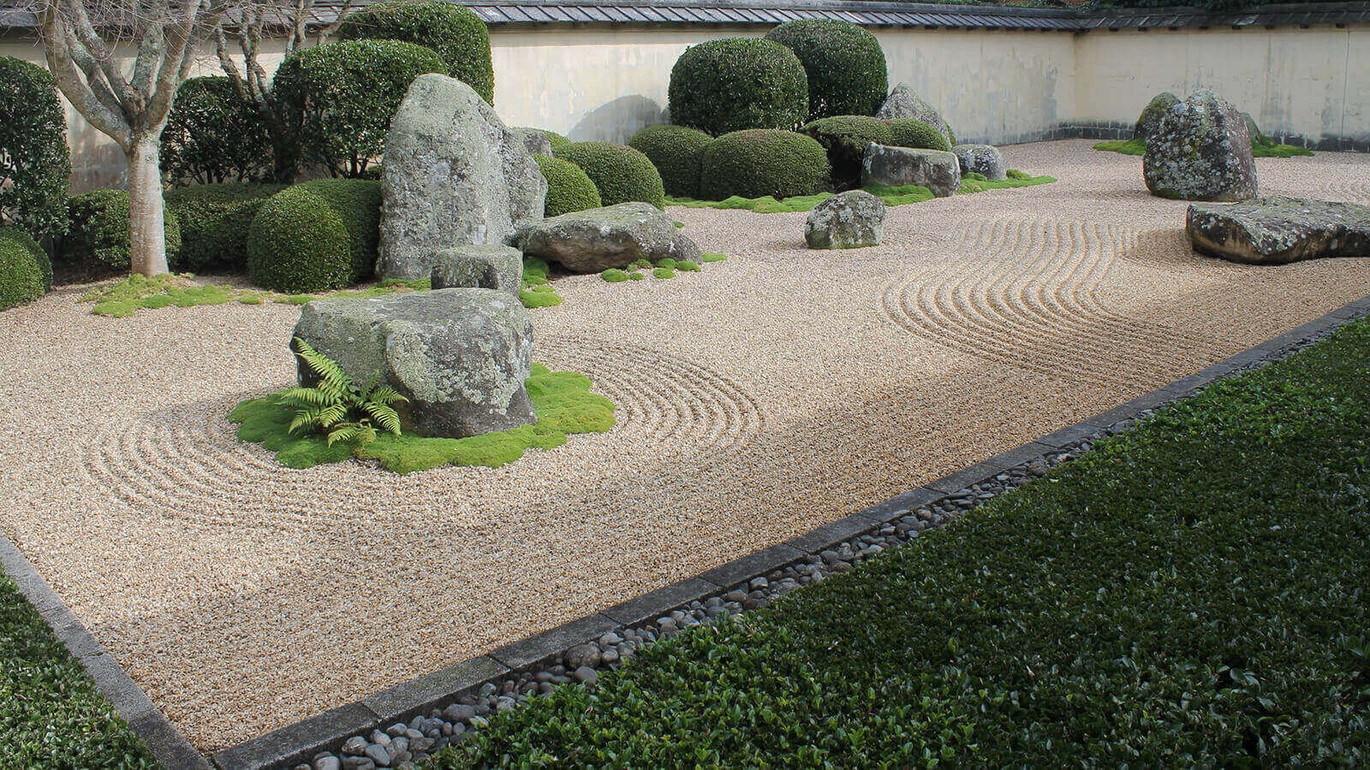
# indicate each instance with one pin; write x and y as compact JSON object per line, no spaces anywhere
{"x":598,"y":239}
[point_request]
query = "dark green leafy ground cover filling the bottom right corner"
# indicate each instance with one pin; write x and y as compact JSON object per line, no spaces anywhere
{"x":1193,"y":593}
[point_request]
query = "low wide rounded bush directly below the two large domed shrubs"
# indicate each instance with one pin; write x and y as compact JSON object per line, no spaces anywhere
{"x":764,"y":162}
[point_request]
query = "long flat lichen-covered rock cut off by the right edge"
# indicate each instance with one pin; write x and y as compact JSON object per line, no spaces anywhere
{"x":1279,"y":229}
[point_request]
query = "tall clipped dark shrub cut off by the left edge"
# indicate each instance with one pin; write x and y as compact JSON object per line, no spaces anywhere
{"x":35,"y":161}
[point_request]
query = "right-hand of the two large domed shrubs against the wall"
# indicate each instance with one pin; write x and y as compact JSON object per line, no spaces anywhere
{"x":845,"y":65}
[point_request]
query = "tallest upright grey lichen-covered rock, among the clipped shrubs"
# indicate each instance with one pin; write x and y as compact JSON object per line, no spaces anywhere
{"x":453,"y":175}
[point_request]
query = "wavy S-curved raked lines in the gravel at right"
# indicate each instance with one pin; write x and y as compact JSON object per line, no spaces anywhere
{"x":1028,"y":297}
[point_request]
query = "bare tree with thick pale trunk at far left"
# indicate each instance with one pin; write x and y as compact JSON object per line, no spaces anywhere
{"x":132,"y":105}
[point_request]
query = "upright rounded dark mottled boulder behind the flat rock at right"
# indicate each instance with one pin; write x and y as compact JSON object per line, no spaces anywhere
{"x":1201,"y":151}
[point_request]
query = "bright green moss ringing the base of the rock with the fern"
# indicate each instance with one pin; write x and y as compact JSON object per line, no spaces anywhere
{"x":562,"y":401}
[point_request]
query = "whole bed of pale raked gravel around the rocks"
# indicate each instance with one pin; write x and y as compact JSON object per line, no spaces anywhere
{"x":768,"y":395}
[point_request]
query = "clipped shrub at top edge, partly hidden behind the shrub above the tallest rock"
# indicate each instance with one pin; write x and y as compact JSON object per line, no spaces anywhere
{"x":454,"y":32}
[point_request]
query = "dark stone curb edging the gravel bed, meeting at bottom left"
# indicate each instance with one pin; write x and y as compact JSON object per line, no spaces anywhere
{"x":301,"y":742}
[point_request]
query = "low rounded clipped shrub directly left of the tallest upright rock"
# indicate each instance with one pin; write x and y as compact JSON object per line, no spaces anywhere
{"x":316,"y":236}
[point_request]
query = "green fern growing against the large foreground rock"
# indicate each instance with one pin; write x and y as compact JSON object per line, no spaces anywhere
{"x":338,"y":408}
